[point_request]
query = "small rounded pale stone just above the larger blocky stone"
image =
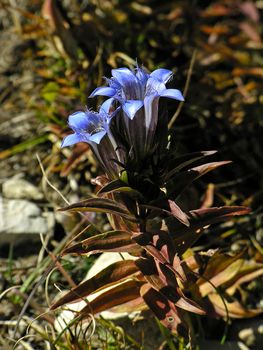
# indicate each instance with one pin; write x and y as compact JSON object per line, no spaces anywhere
{"x":17,"y":188}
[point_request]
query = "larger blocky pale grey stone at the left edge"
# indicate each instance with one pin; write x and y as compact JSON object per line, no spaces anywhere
{"x":21,"y":219}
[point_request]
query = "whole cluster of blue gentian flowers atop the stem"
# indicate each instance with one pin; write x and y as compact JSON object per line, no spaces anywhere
{"x":127,"y":122}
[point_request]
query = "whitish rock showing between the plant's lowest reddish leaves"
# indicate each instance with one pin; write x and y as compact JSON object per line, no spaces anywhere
{"x":101,"y":263}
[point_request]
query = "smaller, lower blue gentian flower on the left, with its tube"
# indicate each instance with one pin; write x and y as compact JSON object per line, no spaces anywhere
{"x":94,"y":128}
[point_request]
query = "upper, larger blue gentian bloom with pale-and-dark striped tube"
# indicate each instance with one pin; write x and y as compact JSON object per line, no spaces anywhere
{"x":134,"y":89}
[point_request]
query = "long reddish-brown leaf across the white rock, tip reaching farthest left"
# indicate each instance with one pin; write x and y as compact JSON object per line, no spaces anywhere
{"x":114,"y":273}
